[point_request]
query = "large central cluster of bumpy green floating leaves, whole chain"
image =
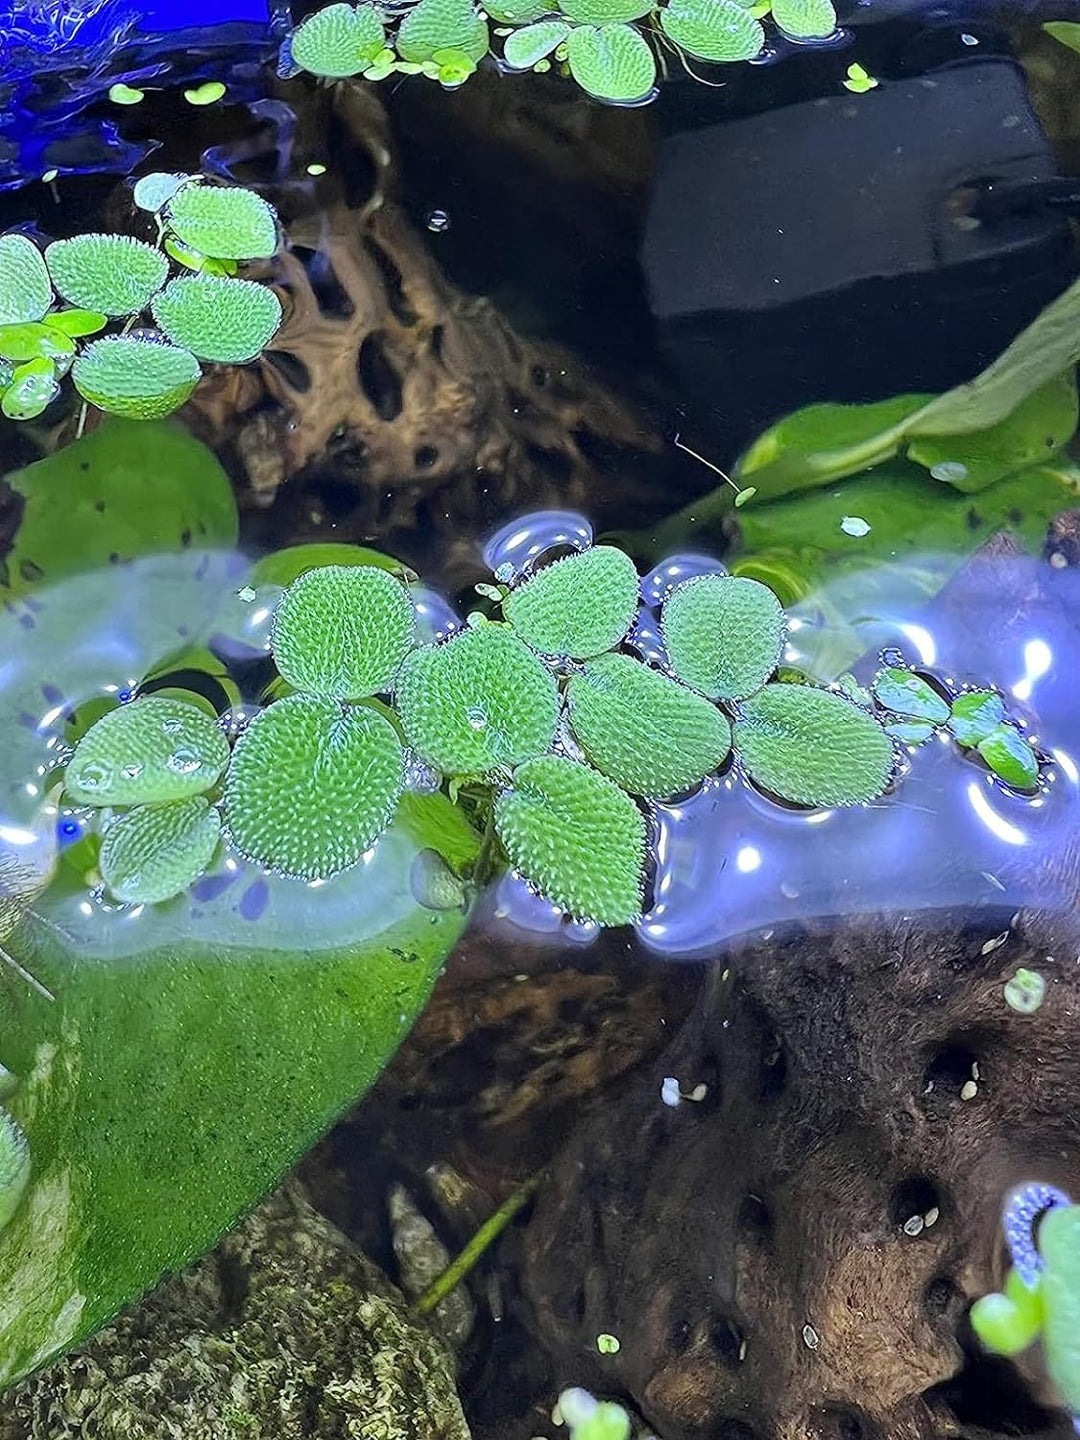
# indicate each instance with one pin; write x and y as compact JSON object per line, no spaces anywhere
{"x":544,"y":721}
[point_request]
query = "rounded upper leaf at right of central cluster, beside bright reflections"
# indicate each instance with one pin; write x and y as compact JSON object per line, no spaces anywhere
{"x":724,"y":634}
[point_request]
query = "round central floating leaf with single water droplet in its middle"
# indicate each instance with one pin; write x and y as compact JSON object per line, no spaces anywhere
{"x":477,"y":702}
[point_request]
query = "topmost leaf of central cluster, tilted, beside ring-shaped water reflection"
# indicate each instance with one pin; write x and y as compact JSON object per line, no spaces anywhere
{"x":578,"y":607}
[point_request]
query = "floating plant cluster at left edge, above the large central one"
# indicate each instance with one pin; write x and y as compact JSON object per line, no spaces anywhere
{"x":54,"y":303}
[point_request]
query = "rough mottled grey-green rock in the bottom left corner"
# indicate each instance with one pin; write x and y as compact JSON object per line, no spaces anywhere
{"x":284,"y":1333}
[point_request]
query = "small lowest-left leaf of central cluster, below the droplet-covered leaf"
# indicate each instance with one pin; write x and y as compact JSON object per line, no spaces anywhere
{"x":158,"y":852}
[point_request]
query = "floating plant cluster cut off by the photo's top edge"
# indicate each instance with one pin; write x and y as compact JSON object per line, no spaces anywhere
{"x":608,"y":47}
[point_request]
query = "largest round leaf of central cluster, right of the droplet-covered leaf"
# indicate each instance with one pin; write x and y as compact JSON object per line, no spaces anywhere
{"x":312,"y":787}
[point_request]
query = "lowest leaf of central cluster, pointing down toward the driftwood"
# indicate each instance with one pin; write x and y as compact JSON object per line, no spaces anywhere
{"x":575,"y":836}
